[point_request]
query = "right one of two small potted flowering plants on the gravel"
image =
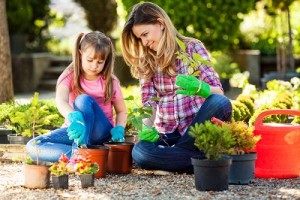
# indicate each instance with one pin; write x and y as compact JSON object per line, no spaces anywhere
{"x":85,"y":168}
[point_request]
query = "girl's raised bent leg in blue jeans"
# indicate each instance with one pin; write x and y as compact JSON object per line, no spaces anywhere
{"x":97,"y":124}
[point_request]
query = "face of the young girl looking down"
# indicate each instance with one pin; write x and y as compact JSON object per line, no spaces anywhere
{"x":91,"y":64}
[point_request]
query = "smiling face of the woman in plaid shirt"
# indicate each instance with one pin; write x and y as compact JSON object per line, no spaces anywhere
{"x":149,"y":34}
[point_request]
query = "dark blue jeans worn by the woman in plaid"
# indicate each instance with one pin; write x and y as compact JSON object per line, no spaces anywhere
{"x":176,"y":156}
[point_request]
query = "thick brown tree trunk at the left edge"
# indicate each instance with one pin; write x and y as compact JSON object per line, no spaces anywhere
{"x":6,"y":85}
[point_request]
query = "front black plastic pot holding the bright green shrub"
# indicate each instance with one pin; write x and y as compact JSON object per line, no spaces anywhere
{"x":211,"y":174}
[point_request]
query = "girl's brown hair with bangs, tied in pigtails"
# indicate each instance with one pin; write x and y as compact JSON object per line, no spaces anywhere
{"x":104,"y":51}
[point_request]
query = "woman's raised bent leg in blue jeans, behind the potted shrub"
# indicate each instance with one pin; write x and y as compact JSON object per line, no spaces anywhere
{"x":215,"y":105}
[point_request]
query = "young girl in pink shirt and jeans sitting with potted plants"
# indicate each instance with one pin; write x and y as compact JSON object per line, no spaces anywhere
{"x":86,"y":94}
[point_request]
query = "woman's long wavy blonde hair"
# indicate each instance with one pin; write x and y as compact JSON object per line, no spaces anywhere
{"x":142,"y":60}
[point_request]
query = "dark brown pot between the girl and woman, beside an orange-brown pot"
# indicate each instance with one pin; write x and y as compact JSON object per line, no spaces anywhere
{"x":119,"y":157}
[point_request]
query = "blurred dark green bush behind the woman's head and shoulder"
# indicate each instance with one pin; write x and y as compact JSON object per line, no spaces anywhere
{"x":214,"y":22}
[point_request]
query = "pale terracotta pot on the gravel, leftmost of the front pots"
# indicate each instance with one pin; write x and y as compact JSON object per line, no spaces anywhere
{"x":36,"y":176}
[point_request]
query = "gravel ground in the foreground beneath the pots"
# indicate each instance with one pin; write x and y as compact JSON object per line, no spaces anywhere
{"x":141,"y":184}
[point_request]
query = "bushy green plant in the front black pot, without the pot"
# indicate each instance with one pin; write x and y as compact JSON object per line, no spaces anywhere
{"x":212,"y":139}
